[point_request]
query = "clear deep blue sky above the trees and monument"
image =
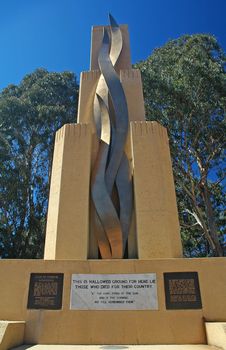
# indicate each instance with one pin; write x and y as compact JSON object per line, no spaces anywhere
{"x":55,"y":34}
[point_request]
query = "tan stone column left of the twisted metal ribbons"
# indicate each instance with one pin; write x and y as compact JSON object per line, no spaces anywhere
{"x":68,"y":213}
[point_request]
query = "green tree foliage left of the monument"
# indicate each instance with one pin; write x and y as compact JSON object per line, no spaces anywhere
{"x":30,"y":114}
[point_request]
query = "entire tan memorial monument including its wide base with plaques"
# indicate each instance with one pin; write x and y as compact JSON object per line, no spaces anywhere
{"x":113,"y":270}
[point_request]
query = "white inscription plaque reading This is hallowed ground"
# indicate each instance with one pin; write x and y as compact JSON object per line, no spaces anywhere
{"x":114,"y":292}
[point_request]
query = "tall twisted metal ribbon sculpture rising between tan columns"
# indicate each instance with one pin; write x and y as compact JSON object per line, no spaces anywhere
{"x":111,"y":180}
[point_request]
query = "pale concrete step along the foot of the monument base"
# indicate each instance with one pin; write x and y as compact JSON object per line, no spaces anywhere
{"x":117,"y":347}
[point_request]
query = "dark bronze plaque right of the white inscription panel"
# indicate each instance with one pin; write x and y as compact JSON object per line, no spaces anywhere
{"x":182,"y":290}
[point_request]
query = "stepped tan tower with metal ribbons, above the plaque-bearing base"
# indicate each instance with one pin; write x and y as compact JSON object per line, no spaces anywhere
{"x":127,"y":160}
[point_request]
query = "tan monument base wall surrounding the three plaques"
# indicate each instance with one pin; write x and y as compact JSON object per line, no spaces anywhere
{"x":66,"y":326}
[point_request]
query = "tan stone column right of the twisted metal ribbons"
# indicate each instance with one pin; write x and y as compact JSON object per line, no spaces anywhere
{"x":157,"y":225}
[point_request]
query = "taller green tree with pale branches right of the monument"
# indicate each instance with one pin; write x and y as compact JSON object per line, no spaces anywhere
{"x":185,"y":90}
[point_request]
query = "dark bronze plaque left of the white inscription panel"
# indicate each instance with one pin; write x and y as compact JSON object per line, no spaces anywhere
{"x":45,"y":291}
